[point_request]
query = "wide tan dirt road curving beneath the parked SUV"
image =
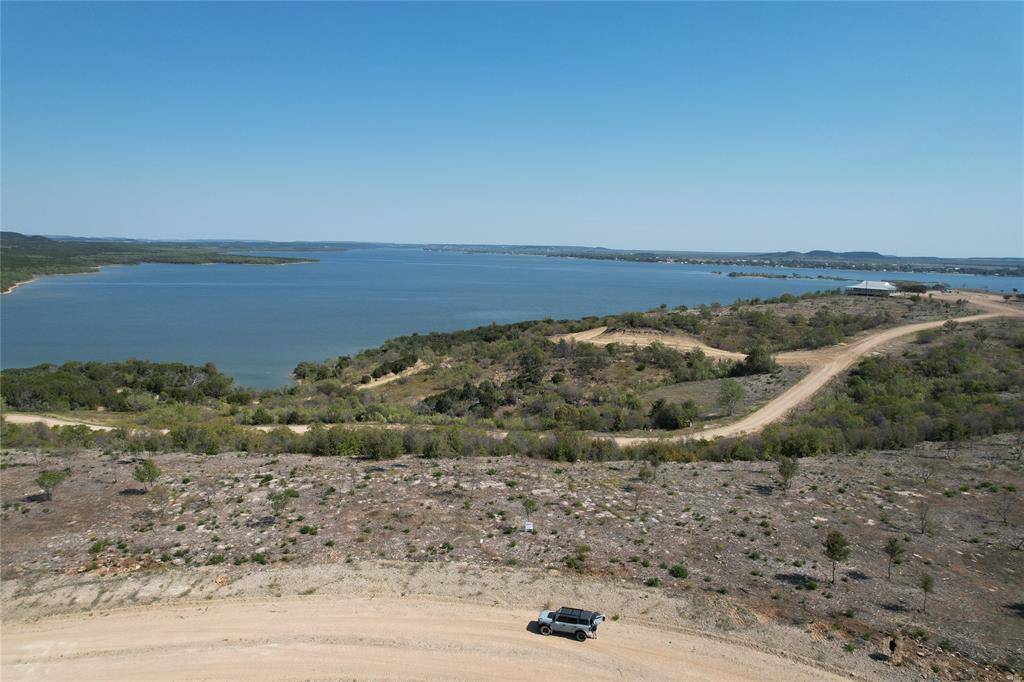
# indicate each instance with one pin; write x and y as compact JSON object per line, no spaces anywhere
{"x":320,"y":637}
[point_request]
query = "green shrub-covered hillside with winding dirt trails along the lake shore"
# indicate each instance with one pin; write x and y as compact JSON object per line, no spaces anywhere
{"x":655,"y":385}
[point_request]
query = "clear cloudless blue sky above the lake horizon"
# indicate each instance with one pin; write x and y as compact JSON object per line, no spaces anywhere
{"x":876,"y":126}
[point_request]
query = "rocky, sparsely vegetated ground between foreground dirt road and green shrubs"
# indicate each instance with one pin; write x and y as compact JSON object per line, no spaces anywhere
{"x":722,"y":535}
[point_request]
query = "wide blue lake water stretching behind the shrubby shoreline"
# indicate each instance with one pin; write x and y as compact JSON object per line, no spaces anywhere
{"x":258,"y":322}
